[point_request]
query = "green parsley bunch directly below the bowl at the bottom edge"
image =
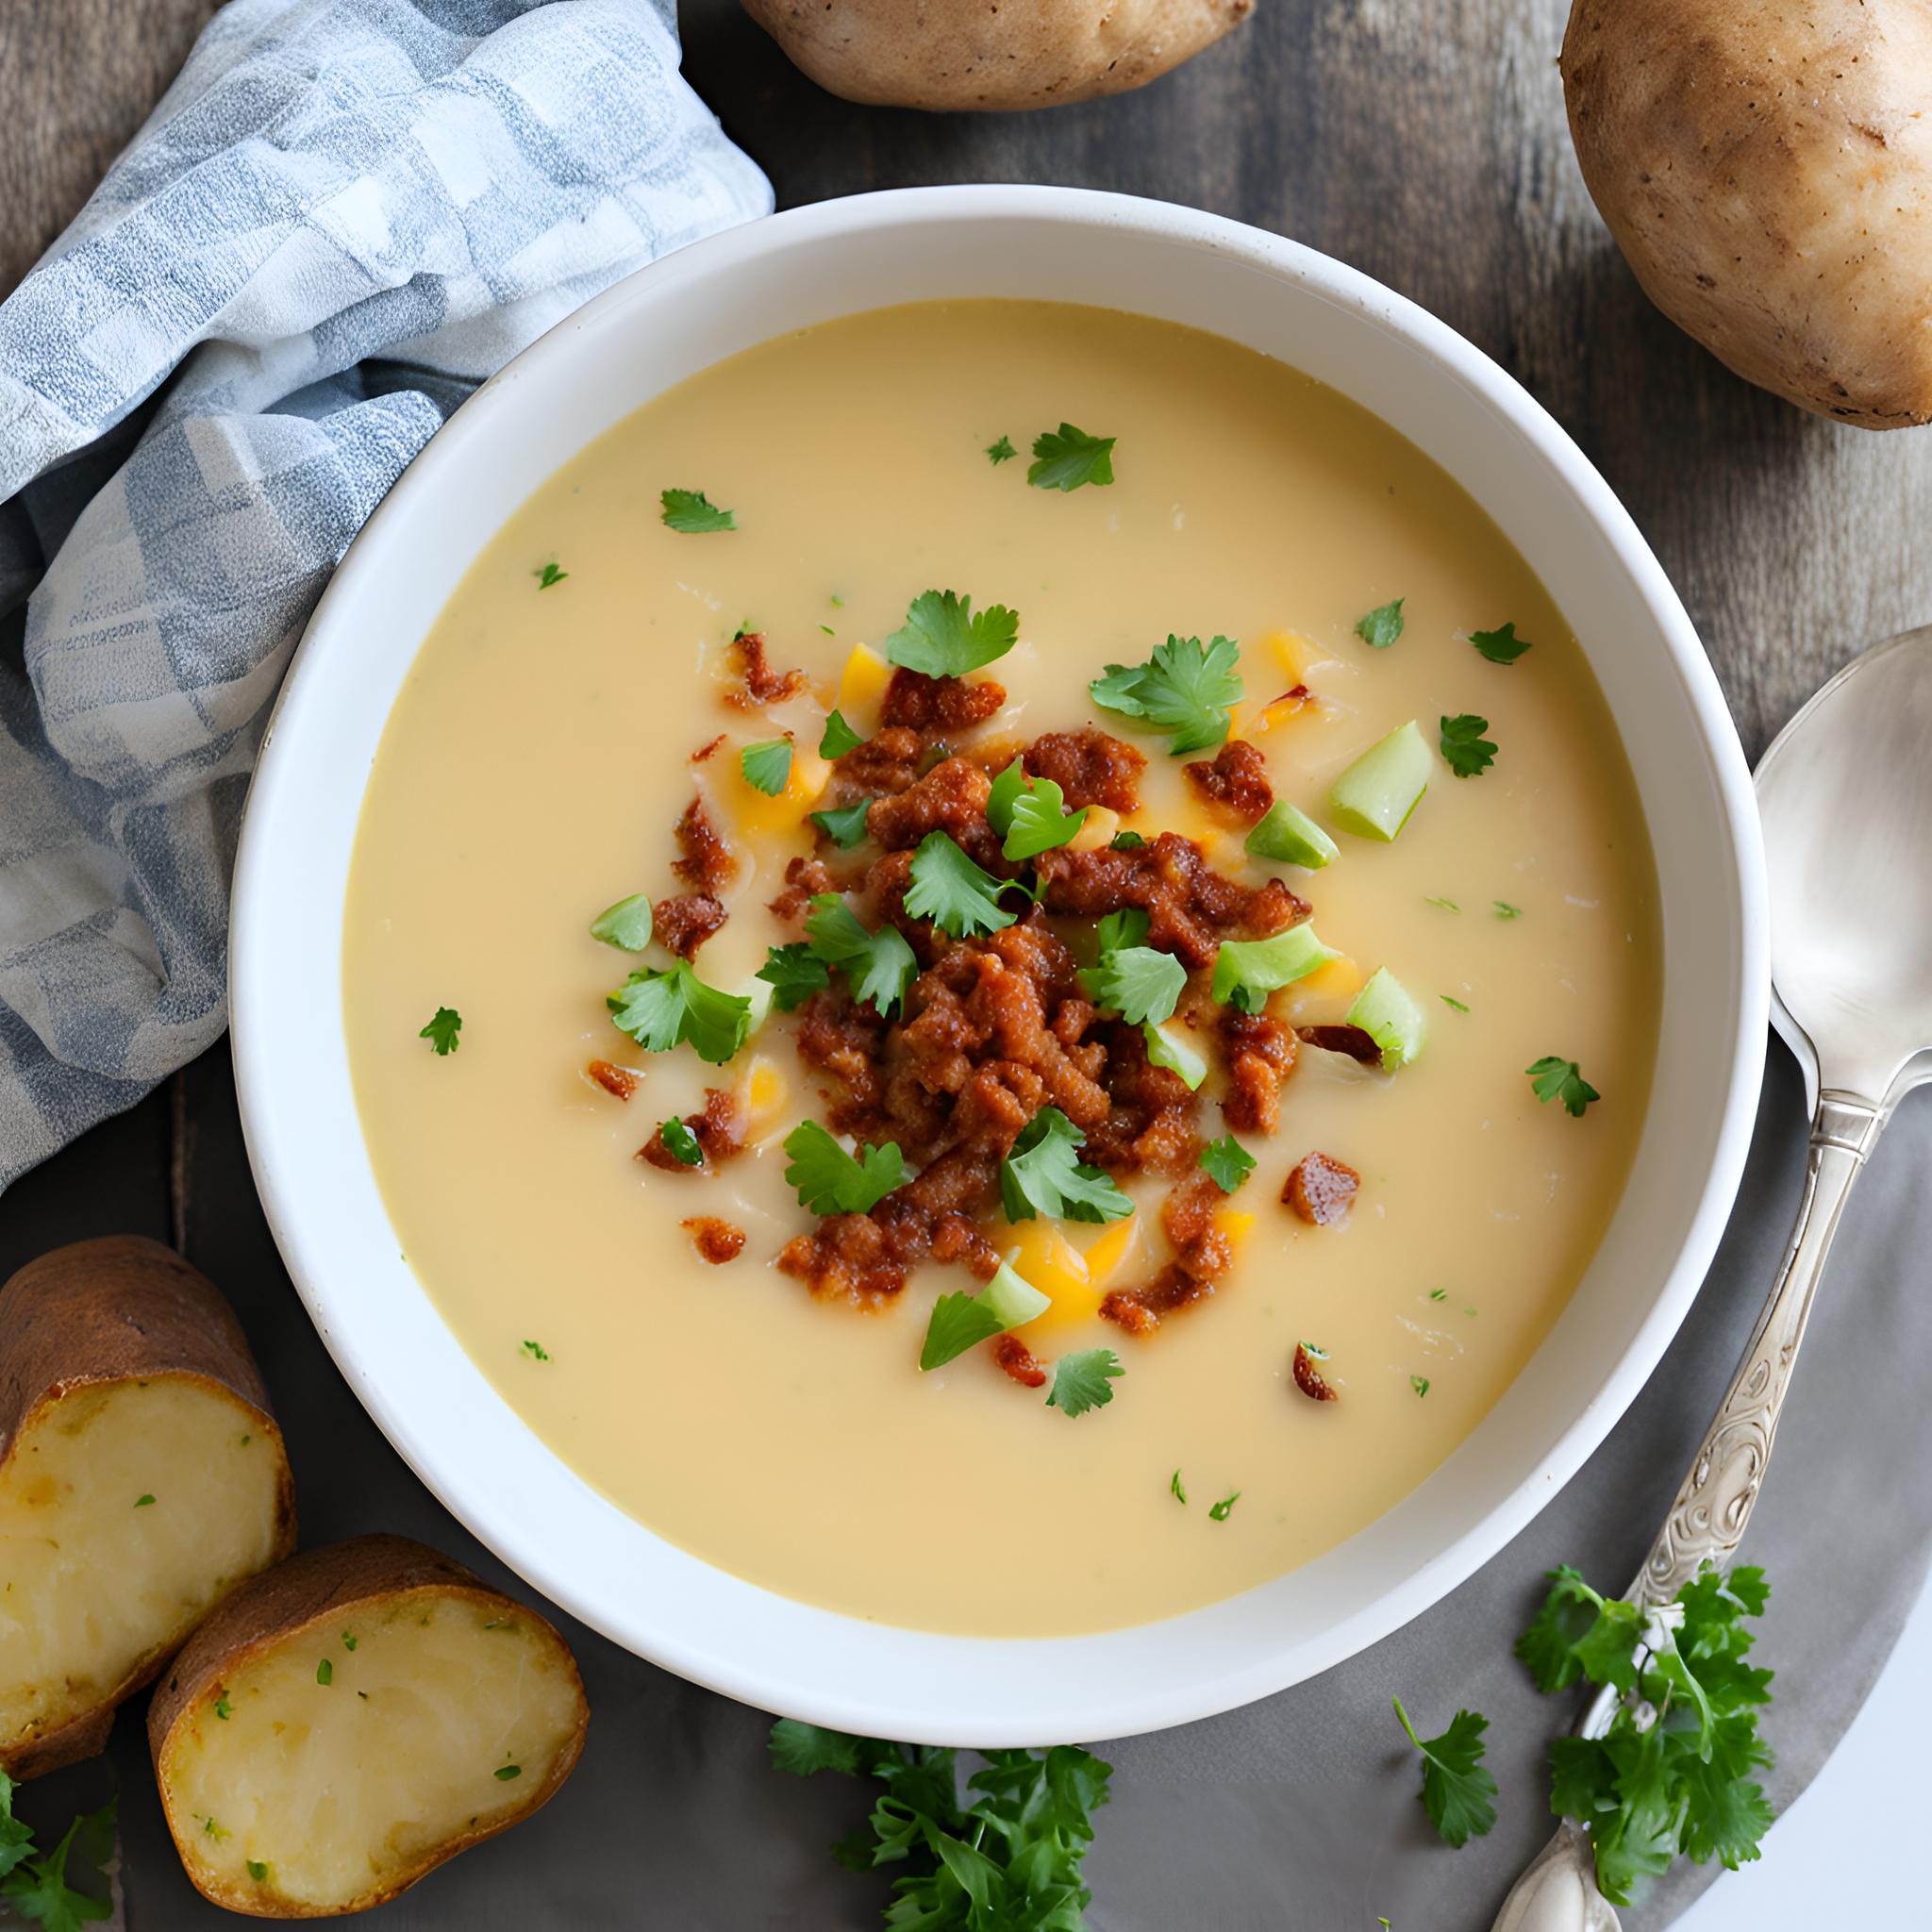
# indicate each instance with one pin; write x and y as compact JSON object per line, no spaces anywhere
{"x":1006,"y":1861}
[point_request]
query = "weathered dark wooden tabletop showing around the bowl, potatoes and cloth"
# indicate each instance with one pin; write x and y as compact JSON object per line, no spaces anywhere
{"x":1419,"y":140}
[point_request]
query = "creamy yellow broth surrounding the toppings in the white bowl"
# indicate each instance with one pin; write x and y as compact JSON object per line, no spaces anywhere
{"x":532,"y":772}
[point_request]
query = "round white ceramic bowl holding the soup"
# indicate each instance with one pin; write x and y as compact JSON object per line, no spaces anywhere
{"x":300,"y":1114}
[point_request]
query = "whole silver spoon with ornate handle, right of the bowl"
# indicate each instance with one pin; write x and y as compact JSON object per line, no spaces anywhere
{"x":1846,"y":793}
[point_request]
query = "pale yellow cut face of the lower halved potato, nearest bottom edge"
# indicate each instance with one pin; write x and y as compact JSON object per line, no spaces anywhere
{"x":335,"y":1792}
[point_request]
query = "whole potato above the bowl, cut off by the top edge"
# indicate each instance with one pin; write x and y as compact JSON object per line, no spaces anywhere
{"x":984,"y":57}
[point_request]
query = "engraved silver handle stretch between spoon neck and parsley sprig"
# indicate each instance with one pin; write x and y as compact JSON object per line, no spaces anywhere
{"x":1717,"y":1498}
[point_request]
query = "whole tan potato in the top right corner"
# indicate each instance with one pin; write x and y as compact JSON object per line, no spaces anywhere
{"x":1767,"y":171}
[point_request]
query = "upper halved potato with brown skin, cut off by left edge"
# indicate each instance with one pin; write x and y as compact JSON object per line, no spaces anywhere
{"x":142,"y":1479}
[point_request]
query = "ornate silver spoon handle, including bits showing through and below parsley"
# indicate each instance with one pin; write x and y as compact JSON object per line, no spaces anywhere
{"x":1707,"y":1523}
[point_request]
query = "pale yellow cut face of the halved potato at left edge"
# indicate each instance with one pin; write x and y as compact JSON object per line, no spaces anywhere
{"x":94,"y":1581}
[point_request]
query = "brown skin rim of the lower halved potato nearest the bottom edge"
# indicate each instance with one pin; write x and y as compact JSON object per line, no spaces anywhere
{"x":316,"y":1589}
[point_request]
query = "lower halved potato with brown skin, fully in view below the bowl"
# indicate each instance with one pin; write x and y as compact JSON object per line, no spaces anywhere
{"x":347,"y":1722}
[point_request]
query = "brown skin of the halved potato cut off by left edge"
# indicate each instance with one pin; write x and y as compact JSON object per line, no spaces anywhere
{"x":121,"y":1309}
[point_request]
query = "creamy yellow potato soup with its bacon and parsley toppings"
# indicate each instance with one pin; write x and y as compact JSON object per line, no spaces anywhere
{"x":1208,"y":967}
